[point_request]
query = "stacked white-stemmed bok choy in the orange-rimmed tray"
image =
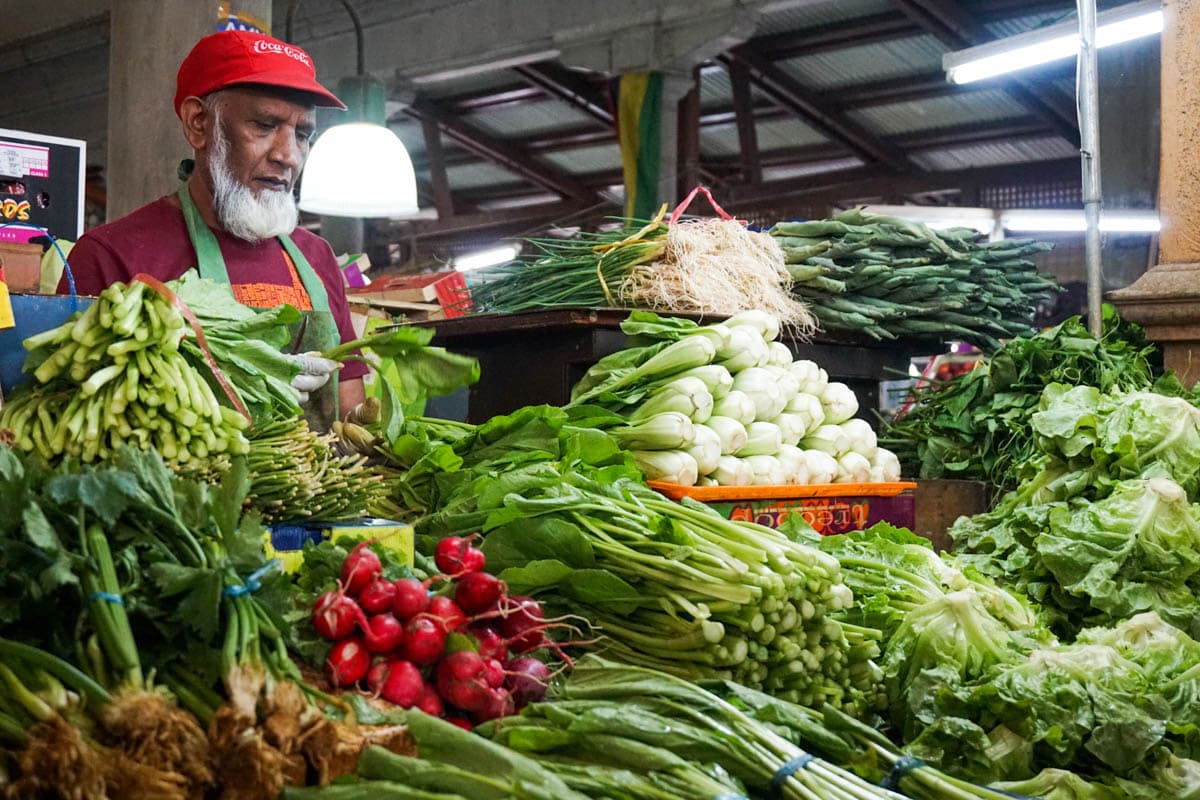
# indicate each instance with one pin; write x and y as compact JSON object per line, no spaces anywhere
{"x":727,"y":406}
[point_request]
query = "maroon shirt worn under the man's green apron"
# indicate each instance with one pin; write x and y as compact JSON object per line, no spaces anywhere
{"x":154,"y":240}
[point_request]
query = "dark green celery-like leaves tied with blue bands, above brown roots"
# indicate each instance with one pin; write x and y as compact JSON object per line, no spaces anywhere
{"x":176,"y":552}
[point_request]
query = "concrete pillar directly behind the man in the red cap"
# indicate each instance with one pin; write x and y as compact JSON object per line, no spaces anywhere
{"x":148,"y":41}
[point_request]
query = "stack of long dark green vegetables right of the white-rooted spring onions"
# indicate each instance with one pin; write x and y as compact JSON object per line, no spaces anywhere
{"x":887,"y":278}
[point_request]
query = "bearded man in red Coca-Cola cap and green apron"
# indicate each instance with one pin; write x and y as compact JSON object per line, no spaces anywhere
{"x":247,"y":103}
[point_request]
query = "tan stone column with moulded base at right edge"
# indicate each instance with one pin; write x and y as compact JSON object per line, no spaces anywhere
{"x":1167,"y":299}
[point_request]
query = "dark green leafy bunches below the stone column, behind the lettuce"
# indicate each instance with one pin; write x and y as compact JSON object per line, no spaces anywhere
{"x":977,"y":425}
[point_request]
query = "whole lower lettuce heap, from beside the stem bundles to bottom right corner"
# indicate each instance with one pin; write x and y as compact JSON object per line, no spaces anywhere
{"x":980,"y":688}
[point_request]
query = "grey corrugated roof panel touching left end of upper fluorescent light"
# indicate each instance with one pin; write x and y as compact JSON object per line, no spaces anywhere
{"x":867,"y":63}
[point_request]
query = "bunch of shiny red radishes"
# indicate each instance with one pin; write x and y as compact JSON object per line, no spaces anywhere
{"x":394,"y":636}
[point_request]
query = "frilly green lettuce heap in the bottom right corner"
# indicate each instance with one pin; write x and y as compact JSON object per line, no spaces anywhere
{"x":1114,"y":707}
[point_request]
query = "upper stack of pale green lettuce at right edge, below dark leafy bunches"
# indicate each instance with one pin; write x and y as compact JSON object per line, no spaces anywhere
{"x":1107,"y":528}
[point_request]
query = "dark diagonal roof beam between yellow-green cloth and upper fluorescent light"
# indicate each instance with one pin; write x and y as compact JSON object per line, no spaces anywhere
{"x":808,"y":105}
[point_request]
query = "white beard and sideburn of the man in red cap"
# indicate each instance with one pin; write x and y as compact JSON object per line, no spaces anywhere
{"x":238,"y":209}
